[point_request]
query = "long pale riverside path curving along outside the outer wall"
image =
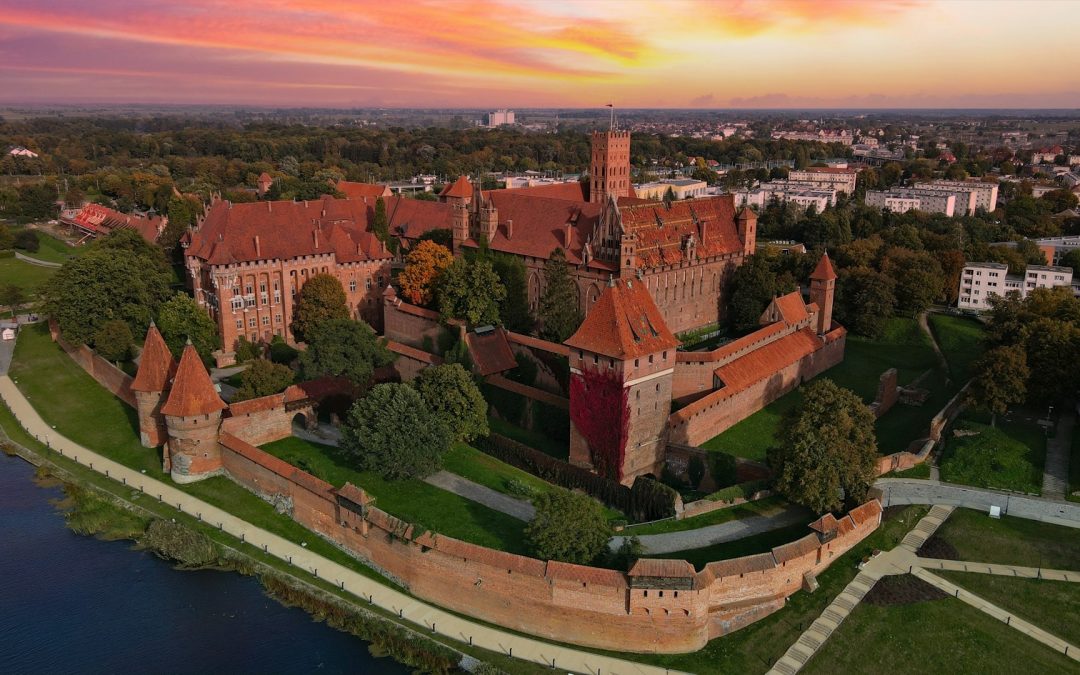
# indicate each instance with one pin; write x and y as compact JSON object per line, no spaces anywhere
{"x":428,"y":617}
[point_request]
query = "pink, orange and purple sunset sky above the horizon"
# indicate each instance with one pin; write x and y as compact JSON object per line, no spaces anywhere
{"x":544,"y":53}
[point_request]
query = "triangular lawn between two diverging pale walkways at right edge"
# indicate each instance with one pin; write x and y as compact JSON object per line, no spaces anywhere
{"x":1054,"y":606}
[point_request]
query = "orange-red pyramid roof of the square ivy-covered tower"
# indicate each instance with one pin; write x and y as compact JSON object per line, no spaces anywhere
{"x":625,"y":323}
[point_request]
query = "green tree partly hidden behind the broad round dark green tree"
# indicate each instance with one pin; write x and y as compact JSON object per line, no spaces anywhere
{"x":451,"y":394}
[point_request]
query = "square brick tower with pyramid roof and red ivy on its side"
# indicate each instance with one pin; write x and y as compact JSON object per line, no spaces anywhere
{"x":623,"y":360}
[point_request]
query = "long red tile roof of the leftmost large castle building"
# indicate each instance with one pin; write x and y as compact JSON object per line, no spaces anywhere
{"x":283,"y":231}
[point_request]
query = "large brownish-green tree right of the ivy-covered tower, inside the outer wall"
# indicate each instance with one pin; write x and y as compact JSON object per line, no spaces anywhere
{"x":828,"y":452}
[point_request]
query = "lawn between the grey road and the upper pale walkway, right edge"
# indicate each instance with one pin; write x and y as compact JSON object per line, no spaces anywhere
{"x":979,"y":538}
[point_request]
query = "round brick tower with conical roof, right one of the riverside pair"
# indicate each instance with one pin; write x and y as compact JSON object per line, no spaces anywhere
{"x":193,"y":420}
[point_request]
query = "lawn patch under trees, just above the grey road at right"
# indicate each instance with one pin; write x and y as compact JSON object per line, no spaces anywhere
{"x":1009,"y":456}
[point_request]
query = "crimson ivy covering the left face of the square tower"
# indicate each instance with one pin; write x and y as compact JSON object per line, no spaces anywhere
{"x":600,"y":410}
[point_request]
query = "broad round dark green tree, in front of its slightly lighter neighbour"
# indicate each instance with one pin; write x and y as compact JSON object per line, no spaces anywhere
{"x":393,"y":433}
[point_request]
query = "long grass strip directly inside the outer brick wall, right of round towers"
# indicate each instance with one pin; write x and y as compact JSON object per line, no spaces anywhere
{"x":413,"y":501}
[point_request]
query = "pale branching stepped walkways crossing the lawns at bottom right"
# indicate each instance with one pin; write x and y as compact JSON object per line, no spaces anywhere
{"x":903,"y":560}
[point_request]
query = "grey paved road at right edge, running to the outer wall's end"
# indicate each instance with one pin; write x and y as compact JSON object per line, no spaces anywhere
{"x":915,"y":492}
